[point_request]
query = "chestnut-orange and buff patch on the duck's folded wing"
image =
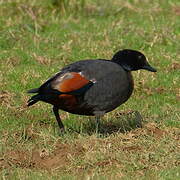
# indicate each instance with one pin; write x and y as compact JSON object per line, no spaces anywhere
{"x":71,"y":83}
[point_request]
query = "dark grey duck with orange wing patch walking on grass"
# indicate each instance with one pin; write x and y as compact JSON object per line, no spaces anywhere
{"x":91,"y":87}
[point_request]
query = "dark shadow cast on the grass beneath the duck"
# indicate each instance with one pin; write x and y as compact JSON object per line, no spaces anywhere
{"x":120,"y":123}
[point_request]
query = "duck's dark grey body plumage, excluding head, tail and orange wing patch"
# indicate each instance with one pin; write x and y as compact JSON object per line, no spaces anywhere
{"x":113,"y":86}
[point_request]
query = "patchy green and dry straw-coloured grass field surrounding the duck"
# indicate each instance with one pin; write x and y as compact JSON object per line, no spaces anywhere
{"x":37,"y":38}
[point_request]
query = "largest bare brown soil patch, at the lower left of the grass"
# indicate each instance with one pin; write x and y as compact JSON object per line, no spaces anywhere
{"x":41,"y":159}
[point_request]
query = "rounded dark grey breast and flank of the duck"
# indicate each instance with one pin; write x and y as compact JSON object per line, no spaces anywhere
{"x":109,"y":92}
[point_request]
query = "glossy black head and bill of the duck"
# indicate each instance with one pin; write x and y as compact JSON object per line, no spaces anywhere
{"x":132,"y":60}
